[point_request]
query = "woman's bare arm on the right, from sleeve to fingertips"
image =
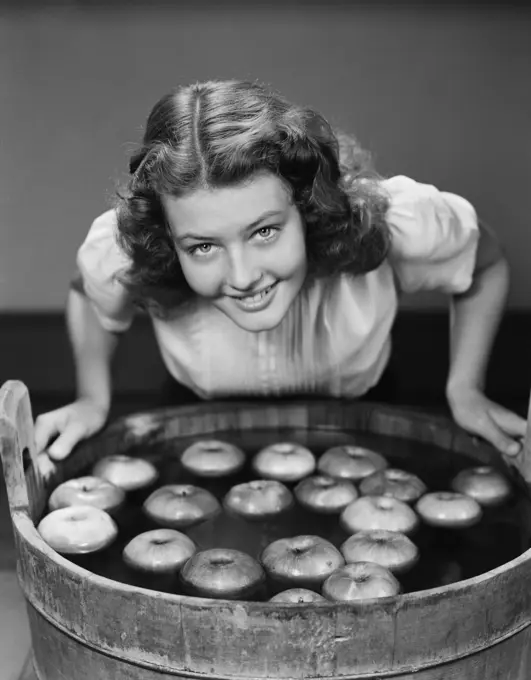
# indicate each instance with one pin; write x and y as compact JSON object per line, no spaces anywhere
{"x":474,"y":321}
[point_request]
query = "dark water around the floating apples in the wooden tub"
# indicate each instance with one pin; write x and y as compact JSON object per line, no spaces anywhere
{"x":446,"y":555}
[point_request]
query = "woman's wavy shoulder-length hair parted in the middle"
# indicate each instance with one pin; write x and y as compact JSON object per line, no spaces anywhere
{"x":221,"y":133}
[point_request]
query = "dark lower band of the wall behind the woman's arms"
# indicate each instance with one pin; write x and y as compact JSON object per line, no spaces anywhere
{"x":34,"y":348}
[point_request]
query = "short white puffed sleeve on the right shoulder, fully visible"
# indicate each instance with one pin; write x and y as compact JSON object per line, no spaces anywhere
{"x":434,"y":237}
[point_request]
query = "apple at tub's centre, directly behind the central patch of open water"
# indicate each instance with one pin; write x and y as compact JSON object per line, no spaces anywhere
{"x":258,"y":499}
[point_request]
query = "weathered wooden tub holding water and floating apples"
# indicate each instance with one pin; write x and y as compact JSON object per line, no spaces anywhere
{"x":85,"y":626}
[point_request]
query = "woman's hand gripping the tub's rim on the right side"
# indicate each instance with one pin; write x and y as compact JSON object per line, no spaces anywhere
{"x":478,"y":415}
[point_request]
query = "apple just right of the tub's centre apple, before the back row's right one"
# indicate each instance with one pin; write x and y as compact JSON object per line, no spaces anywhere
{"x":324,"y":494}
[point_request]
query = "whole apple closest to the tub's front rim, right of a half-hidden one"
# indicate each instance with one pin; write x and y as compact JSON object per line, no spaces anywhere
{"x":360,"y":581}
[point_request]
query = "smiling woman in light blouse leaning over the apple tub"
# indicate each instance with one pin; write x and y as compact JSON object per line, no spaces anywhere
{"x":271,"y":257}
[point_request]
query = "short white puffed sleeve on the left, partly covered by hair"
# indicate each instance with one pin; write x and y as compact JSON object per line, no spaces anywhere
{"x":99,"y":260}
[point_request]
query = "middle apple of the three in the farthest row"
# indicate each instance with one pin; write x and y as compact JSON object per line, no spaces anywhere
{"x":285,"y":462}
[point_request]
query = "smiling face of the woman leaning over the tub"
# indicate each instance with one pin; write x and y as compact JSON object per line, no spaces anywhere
{"x":241,"y":247}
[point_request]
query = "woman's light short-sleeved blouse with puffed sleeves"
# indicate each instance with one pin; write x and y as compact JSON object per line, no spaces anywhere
{"x":335,"y":338}
